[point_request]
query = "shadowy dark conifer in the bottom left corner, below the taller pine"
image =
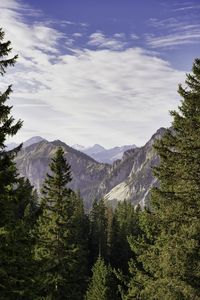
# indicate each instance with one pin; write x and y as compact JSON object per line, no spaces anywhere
{"x":16,"y":262}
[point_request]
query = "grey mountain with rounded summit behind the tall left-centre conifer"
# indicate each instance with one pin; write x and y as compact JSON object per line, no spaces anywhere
{"x":33,"y":163}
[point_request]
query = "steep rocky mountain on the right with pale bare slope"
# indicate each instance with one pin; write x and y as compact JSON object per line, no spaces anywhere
{"x":137,"y":185}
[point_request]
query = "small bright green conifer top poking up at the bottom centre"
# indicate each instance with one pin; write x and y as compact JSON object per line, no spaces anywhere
{"x":103,"y":284}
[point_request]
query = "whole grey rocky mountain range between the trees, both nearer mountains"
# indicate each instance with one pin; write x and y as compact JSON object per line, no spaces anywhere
{"x":128,"y":178}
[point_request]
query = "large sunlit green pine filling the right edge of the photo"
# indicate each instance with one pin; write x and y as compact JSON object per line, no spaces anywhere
{"x":171,"y":258}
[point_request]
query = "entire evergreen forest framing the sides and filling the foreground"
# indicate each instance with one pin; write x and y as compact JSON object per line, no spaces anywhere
{"x":50,"y":248}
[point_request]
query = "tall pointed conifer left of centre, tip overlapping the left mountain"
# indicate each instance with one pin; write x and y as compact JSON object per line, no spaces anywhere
{"x":60,"y":250}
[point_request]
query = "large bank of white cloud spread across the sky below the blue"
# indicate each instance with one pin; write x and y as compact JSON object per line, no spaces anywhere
{"x":101,"y":95}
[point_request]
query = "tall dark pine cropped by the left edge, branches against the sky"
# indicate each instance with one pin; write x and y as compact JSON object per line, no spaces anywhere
{"x":8,"y":173}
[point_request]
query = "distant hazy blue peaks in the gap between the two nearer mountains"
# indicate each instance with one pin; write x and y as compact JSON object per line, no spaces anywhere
{"x":100,"y":154}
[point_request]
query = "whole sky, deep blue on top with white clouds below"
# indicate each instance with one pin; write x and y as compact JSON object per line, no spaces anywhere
{"x":98,"y":71}
